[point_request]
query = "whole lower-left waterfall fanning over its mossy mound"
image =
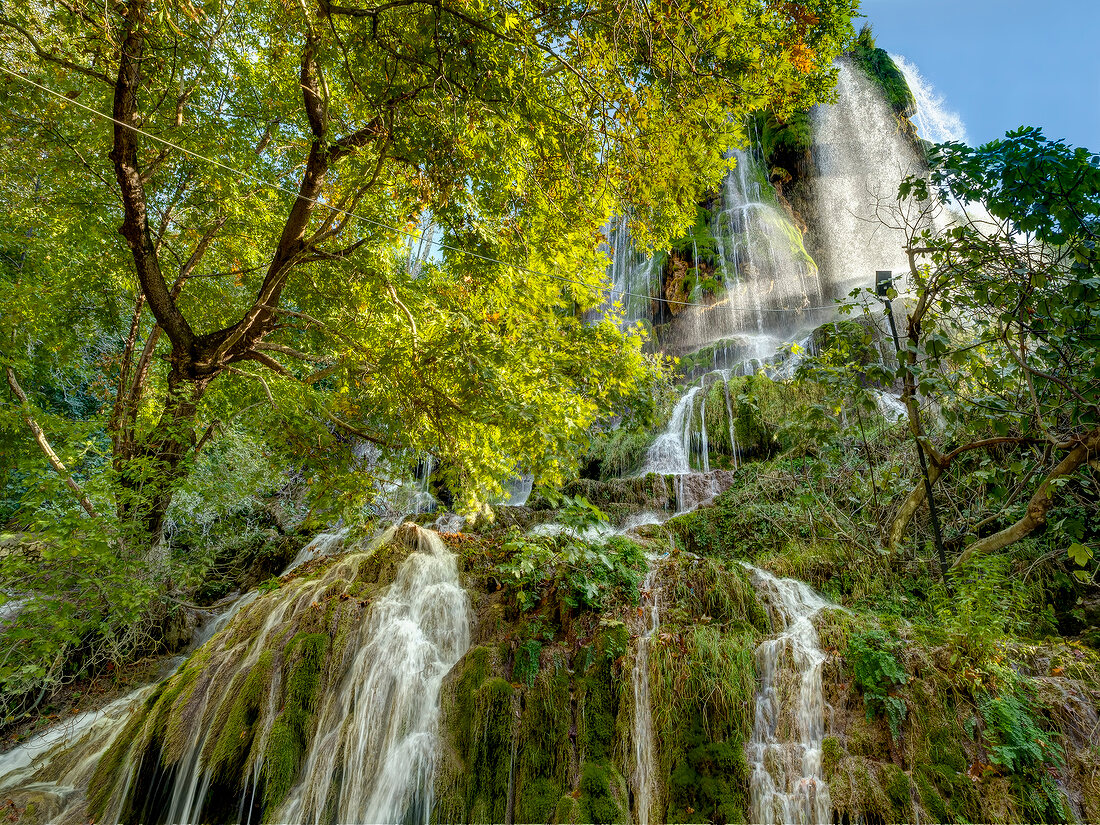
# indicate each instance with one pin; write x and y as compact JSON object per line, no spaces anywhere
{"x":369,"y":758}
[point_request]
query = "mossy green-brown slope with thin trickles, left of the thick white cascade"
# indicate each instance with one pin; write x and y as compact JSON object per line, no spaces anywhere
{"x":243,"y":708}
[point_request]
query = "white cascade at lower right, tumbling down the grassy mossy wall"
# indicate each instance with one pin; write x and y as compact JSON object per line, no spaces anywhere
{"x":785,"y":751}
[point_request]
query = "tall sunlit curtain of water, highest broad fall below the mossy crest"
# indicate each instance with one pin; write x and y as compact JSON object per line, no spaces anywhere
{"x":862,"y":157}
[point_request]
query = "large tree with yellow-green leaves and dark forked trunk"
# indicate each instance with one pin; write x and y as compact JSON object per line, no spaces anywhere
{"x":518,"y":128}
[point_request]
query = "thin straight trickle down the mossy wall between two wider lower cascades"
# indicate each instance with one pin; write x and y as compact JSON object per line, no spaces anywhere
{"x":645,"y":751}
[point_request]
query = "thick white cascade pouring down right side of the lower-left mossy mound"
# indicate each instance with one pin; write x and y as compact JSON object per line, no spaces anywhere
{"x":377,"y":733}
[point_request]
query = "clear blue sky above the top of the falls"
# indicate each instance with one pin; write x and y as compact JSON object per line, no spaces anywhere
{"x":1002,"y":64}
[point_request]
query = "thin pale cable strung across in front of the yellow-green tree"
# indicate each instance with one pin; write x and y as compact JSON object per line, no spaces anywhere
{"x":338,"y":211}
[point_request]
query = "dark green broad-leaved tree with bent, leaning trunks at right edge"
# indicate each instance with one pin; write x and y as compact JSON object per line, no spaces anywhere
{"x":1006,"y":325}
